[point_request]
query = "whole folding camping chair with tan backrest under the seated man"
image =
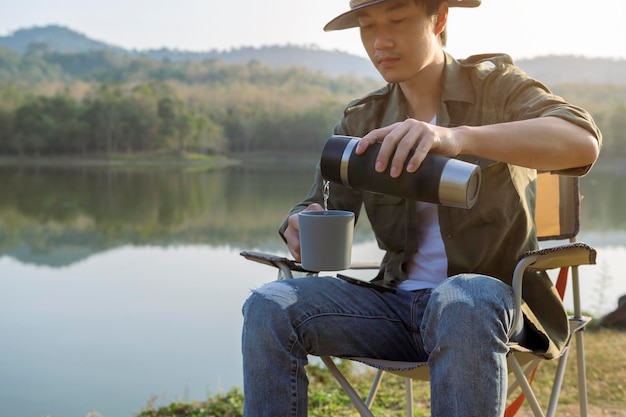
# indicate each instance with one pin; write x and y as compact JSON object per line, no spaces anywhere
{"x":556,"y":218}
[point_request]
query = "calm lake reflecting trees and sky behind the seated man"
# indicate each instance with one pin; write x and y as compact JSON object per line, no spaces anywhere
{"x":121,"y":287}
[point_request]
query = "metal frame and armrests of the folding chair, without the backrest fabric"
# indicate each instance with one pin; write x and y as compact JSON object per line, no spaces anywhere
{"x":522,"y":364}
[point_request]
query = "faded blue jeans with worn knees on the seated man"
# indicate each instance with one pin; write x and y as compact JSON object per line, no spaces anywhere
{"x":460,"y":328}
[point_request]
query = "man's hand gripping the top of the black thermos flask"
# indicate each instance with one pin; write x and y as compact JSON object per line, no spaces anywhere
{"x":409,"y":140}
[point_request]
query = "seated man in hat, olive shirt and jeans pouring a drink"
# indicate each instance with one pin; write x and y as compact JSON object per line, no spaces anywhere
{"x":451,"y":267}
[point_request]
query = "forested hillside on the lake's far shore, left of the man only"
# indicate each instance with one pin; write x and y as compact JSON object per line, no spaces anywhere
{"x":210,"y":107}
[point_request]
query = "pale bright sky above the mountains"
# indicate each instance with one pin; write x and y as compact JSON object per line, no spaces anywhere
{"x":523,"y":29}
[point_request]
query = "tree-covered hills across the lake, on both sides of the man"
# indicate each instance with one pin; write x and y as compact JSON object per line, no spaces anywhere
{"x":103,"y":101}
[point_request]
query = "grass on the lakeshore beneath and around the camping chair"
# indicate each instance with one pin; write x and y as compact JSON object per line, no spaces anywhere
{"x":606,"y":380}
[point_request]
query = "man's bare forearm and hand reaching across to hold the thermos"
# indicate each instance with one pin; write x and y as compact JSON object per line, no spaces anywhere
{"x":545,"y":143}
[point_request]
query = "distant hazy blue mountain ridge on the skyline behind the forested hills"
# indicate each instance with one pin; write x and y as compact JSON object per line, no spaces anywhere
{"x":551,"y":70}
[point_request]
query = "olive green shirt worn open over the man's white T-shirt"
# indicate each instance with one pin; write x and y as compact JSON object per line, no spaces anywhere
{"x":488,"y":238}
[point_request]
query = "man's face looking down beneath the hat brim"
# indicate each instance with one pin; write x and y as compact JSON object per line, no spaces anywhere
{"x":399,"y":38}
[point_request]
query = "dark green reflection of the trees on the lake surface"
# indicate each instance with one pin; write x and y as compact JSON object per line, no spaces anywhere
{"x":59,"y":216}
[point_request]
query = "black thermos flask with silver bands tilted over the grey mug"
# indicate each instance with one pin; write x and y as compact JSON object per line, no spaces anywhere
{"x":441,"y":180}
